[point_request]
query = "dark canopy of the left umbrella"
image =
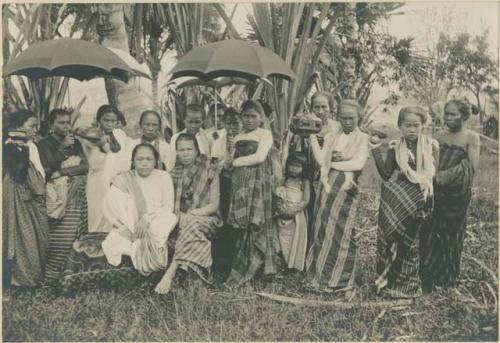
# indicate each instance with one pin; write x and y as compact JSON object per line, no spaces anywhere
{"x":68,"y":57}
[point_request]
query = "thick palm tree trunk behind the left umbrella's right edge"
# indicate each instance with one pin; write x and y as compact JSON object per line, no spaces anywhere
{"x":126,"y":96}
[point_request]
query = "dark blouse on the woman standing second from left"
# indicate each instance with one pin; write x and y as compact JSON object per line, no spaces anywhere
{"x":52,"y":154}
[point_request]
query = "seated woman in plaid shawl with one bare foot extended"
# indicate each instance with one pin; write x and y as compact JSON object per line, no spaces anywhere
{"x":196,"y":182}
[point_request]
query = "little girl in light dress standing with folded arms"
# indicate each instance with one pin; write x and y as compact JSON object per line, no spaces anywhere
{"x":293,"y":198}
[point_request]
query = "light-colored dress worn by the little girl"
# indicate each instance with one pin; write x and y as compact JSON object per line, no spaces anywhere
{"x":293,"y":232}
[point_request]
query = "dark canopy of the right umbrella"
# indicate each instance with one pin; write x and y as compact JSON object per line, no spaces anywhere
{"x":234,"y":58}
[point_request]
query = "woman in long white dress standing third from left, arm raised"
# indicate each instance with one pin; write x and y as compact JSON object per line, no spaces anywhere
{"x":106,"y":157}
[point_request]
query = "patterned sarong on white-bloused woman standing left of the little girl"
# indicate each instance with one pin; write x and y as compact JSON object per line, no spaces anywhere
{"x":250,"y":214}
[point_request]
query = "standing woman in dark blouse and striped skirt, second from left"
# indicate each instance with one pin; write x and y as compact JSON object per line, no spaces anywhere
{"x":55,"y":150}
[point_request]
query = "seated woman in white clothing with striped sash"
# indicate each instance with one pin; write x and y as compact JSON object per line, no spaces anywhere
{"x":139,"y":205}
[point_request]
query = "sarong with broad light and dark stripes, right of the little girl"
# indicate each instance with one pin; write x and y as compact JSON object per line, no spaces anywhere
{"x":331,"y":258}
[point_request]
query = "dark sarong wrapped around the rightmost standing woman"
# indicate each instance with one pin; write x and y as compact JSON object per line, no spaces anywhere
{"x":442,"y":242}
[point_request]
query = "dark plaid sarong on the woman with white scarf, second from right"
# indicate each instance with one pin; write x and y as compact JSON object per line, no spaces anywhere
{"x":400,"y":218}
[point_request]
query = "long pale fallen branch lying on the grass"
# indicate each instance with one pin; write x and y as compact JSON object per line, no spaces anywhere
{"x":337,"y":303}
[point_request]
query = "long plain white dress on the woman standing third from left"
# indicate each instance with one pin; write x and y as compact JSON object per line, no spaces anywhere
{"x":102,"y":168}
